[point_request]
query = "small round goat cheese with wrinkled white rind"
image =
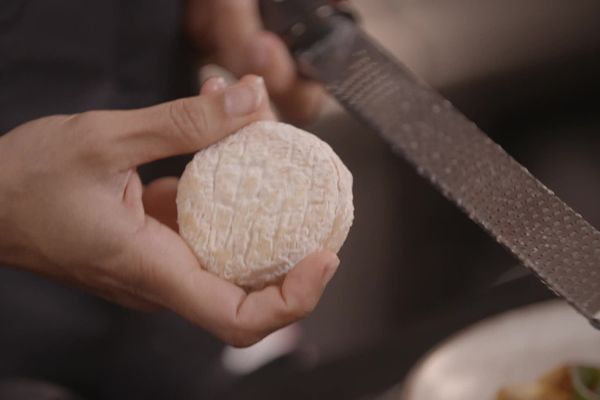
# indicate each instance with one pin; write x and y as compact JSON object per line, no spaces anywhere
{"x":259,"y":201}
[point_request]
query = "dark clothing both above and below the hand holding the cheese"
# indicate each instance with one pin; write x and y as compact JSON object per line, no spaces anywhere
{"x":67,"y":56}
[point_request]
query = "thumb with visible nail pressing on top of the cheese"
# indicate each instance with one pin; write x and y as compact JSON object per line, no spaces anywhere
{"x":186,"y":125}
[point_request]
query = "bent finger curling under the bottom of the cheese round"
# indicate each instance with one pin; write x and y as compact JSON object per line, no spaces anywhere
{"x":179,"y":283}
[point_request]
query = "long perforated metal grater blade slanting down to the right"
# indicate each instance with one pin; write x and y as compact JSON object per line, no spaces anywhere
{"x":465,"y":164}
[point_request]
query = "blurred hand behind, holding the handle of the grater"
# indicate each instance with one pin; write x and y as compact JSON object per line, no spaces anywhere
{"x":231,"y":30}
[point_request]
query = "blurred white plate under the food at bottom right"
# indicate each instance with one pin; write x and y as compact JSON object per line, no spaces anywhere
{"x":514,"y":347}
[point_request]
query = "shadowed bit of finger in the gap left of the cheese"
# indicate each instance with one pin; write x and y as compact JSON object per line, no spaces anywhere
{"x":159,"y":201}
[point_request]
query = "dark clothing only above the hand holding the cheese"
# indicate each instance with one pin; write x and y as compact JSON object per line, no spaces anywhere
{"x":67,"y":56}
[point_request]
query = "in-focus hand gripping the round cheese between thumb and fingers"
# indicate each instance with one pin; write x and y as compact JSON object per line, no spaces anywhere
{"x":72,"y":207}
